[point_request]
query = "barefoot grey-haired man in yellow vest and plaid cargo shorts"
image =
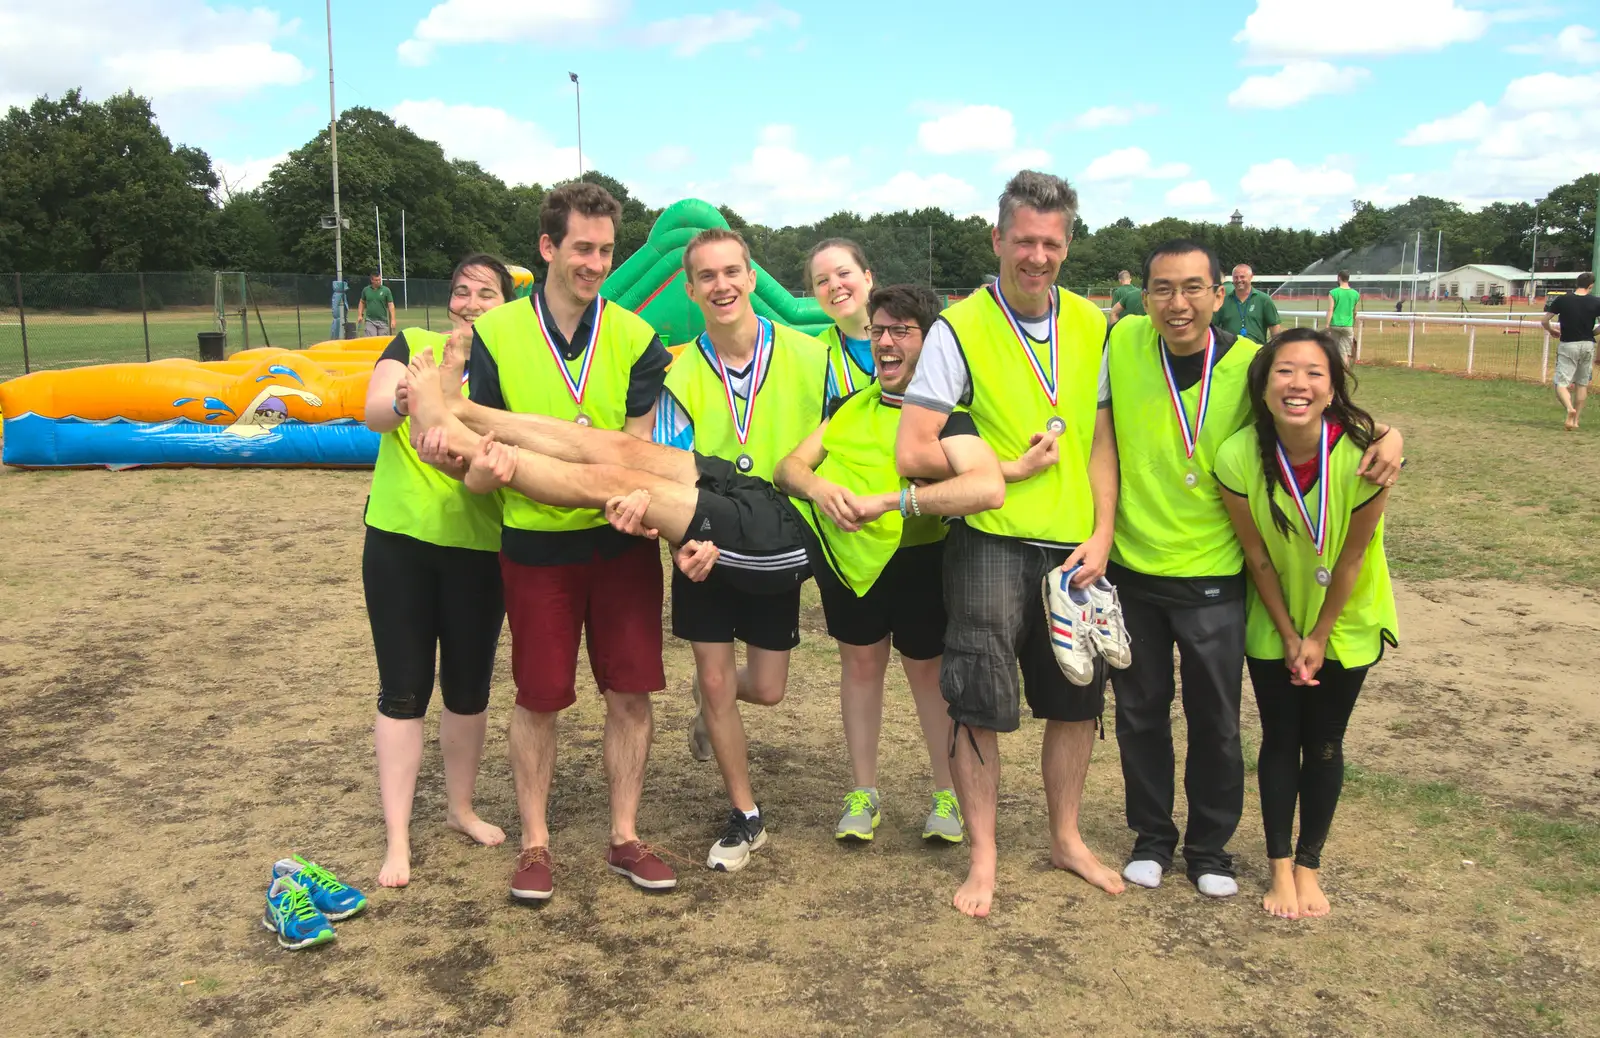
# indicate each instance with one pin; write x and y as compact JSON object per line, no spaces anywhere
{"x":1022,"y":356}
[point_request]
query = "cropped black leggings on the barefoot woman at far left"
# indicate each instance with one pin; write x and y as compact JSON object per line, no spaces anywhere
{"x":420,"y":596}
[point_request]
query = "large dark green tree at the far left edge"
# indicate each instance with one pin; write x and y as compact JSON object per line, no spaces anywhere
{"x":97,"y":186}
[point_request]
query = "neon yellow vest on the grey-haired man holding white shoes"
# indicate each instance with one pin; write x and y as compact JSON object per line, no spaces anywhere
{"x":1009,"y":407}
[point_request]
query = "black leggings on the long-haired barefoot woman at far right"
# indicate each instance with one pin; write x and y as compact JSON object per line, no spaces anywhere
{"x":1302,"y":753}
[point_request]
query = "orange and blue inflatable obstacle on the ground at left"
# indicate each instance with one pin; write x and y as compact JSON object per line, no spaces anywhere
{"x":265,"y":407}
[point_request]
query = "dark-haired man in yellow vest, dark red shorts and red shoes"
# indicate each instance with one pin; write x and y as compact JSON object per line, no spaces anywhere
{"x":564,"y":353}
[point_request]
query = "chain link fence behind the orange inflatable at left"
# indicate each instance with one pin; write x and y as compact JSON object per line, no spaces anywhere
{"x":65,"y":321}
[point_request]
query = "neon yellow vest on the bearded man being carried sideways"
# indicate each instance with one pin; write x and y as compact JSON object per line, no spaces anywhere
{"x":860,"y":444}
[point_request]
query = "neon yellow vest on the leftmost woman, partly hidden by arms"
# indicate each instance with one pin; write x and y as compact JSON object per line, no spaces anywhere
{"x":412,"y":498}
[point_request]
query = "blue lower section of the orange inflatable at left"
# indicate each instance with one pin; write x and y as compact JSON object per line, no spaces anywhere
{"x":39,"y":442}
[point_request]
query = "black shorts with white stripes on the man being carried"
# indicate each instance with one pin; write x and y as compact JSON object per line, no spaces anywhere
{"x":754,"y":525}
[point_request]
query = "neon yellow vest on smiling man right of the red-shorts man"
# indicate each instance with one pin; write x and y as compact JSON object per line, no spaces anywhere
{"x":788,"y":402}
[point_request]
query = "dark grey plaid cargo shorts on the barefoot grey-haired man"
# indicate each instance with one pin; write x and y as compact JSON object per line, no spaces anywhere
{"x":998,"y":621}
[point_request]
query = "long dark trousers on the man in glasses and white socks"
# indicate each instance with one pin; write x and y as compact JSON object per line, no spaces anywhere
{"x":1210,"y":644}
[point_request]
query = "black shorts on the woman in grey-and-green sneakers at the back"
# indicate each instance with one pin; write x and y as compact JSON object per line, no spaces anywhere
{"x":905,"y":604}
